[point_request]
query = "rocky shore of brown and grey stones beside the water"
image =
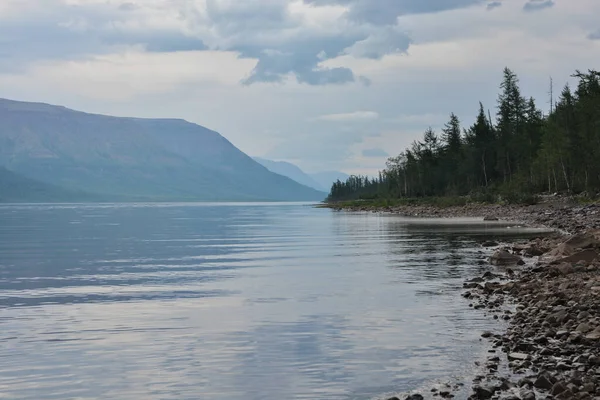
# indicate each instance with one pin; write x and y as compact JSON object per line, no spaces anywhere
{"x":548,"y":291}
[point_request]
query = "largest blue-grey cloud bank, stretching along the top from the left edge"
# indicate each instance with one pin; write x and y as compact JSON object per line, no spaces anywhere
{"x":287,"y":38}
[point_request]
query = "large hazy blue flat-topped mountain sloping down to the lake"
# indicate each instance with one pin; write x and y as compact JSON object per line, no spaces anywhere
{"x":134,"y":158}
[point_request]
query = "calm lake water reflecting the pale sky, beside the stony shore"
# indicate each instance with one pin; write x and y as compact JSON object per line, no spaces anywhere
{"x":245,"y":301}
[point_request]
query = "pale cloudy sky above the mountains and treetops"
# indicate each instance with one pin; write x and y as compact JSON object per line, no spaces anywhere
{"x":325,"y":84}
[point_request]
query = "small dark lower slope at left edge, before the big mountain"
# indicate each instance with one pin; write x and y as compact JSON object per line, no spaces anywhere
{"x":17,"y":188}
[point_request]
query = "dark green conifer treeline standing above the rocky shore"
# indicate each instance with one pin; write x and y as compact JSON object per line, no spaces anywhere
{"x":522,"y":151}
